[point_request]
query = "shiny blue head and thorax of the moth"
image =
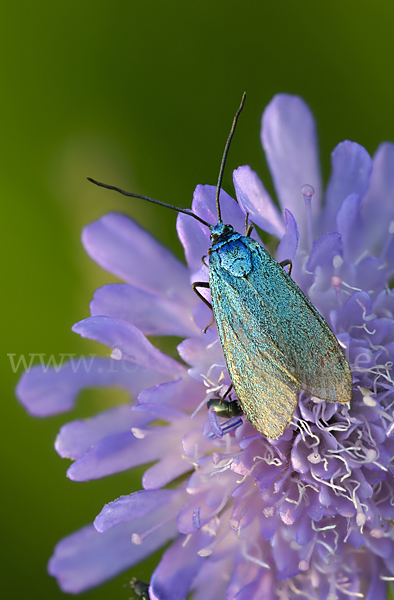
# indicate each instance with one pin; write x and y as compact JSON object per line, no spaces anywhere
{"x":230,"y":250}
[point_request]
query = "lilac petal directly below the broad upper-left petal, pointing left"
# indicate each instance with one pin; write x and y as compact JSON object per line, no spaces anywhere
{"x":150,"y":313}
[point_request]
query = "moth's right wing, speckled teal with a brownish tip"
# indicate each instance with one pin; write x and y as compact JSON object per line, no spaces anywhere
{"x":310,"y":348}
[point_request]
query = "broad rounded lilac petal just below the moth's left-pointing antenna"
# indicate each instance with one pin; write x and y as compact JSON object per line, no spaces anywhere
{"x":114,"y":242}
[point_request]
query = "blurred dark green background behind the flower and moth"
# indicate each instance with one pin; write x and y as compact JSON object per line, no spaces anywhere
{"x":139,"y":94}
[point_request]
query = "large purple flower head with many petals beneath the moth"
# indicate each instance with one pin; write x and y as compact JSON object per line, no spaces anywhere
{"x":308,"y":515}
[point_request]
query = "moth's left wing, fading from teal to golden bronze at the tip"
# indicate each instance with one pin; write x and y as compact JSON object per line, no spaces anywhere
{"x":267,"y":391}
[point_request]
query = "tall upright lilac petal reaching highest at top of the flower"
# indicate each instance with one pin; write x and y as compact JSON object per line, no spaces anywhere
{"x":289,"y":139}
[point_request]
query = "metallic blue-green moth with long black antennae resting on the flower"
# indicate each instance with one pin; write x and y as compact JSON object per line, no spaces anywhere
{"x":274,"y":341}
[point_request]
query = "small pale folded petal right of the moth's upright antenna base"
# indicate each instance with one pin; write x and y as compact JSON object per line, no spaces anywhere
{"x":255,"y":200}
